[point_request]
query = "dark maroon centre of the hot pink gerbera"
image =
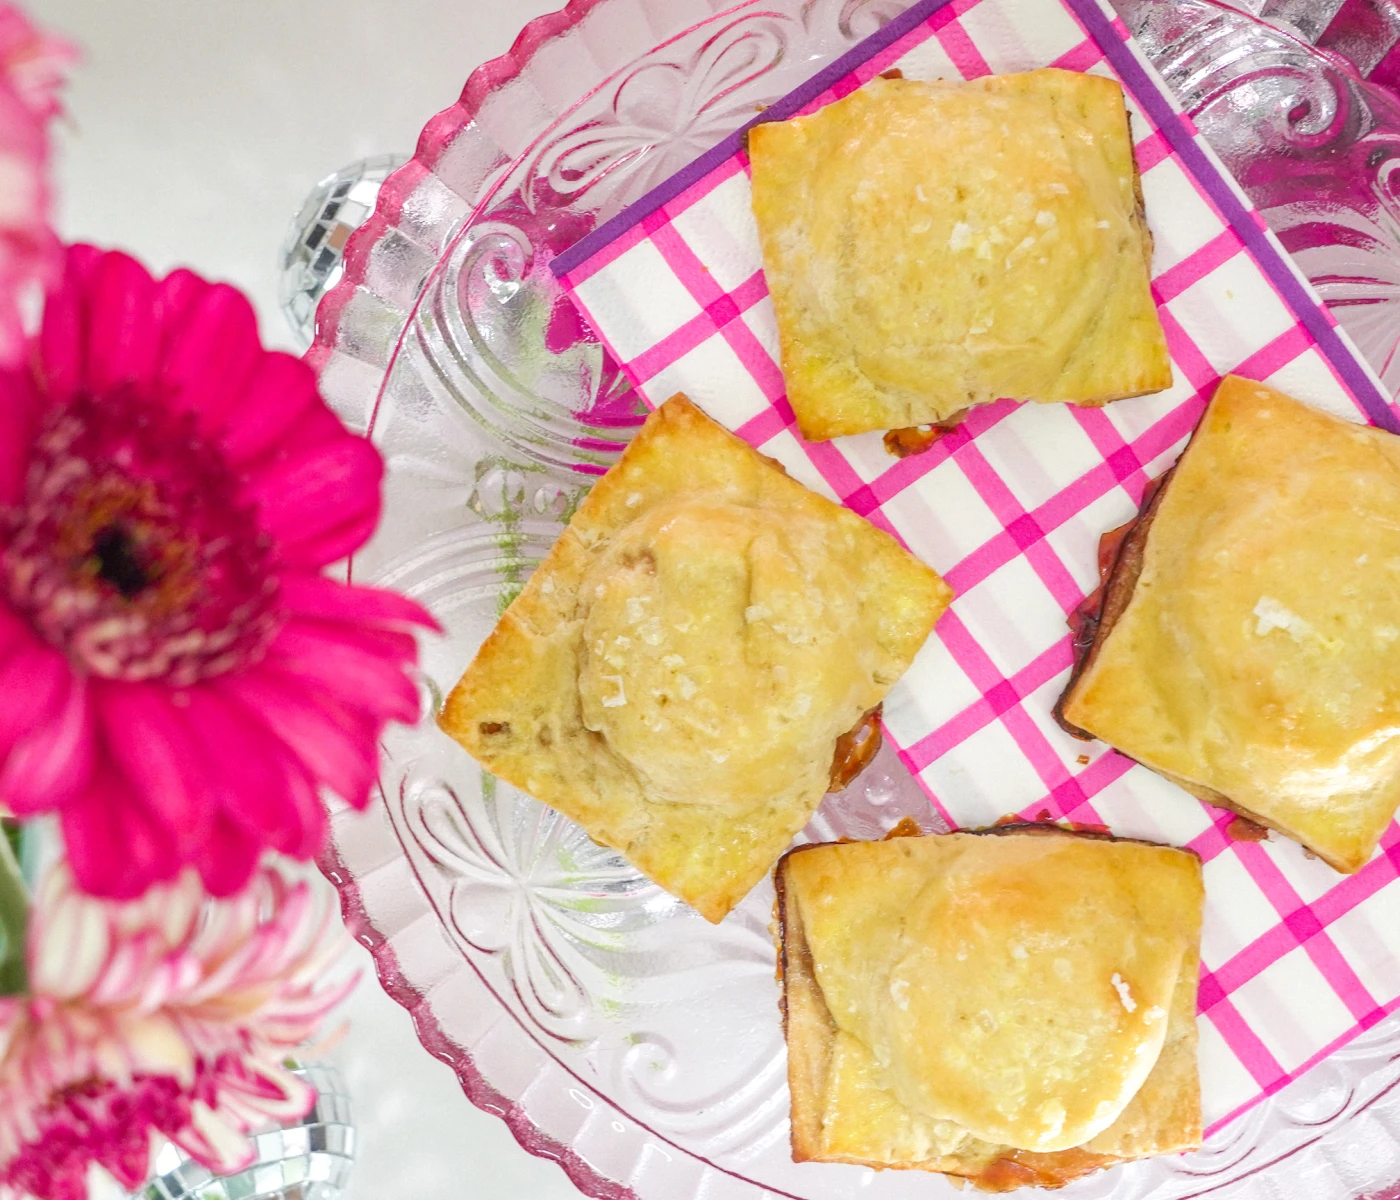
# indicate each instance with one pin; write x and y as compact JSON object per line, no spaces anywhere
{"x":132,"y":550}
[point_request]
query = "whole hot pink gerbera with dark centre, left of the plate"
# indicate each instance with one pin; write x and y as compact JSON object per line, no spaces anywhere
{"x":177,"y":677}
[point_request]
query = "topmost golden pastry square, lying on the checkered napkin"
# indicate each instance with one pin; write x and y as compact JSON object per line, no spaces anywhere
{"x":939,"y":246}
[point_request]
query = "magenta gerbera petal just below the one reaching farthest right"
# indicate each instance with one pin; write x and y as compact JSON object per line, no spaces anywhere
{"x":348,"y":666}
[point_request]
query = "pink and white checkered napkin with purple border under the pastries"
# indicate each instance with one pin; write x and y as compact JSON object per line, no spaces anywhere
{"x":1010,"y":509}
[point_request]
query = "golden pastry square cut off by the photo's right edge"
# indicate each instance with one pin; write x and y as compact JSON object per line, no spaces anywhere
{"x":1251,"y":641}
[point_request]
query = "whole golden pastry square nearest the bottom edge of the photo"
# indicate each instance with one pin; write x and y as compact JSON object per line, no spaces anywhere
{"x":1016,"y":1007}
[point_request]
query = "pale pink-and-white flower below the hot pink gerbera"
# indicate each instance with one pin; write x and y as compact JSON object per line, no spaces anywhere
{"x":166,"y":1016}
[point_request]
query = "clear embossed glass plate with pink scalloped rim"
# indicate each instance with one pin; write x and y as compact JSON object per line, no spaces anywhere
{"x":607,"y":1024}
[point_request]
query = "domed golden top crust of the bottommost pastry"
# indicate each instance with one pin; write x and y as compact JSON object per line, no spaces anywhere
{"x":1011,"y":989}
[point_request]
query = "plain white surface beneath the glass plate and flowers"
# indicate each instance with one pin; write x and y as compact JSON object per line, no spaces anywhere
{"x":194,"y":134}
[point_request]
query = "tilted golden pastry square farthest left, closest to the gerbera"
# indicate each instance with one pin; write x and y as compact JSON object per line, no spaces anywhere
{"x":680,"y":671}
